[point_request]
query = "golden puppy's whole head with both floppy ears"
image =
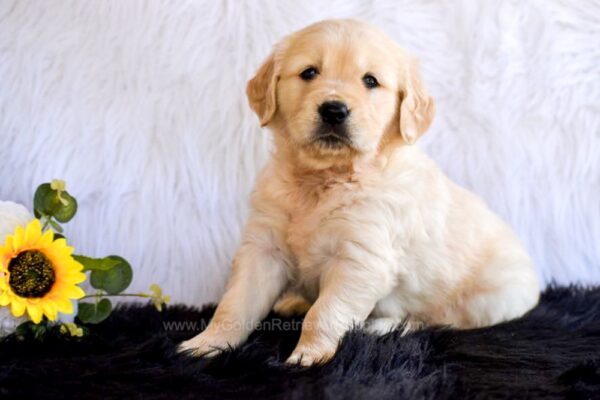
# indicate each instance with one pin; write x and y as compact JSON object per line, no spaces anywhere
{"x":338,"y":90}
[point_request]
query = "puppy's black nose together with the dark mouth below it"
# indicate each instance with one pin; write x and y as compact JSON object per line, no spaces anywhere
{"x":333,"y":131}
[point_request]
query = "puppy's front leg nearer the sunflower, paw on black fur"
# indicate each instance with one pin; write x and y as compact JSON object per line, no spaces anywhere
{"x":259,"y":274}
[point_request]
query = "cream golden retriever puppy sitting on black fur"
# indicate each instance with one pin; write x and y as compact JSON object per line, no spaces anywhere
{"x":350,"y":217}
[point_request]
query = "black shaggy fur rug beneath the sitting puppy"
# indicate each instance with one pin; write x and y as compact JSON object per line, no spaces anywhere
{"x":553,"y":352}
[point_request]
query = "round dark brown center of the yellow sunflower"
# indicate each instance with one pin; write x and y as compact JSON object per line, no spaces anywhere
{"x":31,"y":274}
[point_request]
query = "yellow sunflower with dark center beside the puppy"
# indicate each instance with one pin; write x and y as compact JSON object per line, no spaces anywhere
{"x":38,"y":274}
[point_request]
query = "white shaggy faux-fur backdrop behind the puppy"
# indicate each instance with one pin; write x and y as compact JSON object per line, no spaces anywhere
{"x":140,"y":107}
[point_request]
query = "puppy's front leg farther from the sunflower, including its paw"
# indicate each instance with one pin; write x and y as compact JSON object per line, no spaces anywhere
{"x":349,"y":291}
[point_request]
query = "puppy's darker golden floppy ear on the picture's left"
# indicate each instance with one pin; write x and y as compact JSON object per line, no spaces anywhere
{"x":262,"y":93}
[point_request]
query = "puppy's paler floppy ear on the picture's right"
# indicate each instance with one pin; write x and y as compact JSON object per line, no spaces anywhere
{"x":417,"y":108}
